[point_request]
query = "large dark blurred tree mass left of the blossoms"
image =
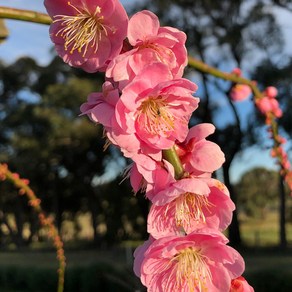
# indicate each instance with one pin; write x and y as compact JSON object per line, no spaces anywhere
{"x":44,"y":139}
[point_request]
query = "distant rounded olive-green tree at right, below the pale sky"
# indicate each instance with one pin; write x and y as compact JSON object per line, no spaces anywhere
{"x":258,"y":192}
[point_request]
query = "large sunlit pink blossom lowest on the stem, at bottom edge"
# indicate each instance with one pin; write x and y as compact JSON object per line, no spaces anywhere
{"x":200,"y":261}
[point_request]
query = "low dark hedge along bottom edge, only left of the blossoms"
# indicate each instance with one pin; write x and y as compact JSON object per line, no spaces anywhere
{"x":97,"y":277}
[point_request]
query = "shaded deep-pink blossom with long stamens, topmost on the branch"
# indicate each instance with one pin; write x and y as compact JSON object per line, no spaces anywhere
{"x":87,"y":34}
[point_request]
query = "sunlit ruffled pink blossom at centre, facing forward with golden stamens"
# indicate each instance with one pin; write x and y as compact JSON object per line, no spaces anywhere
{"x":155,"y":108}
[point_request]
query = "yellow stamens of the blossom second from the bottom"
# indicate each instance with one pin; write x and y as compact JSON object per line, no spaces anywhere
{"x":189,"y":207}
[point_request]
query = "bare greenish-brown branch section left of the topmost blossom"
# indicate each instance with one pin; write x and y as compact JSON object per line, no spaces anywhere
{"x":24,"y":15}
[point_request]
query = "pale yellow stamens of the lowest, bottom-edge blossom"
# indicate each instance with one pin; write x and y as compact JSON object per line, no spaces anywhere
{"x":192,"y":270}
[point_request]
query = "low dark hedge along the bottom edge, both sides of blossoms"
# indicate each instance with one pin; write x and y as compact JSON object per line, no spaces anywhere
{"x":103,"y":277}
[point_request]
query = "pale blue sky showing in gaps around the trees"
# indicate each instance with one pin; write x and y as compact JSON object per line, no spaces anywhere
{"x":33,"y":40}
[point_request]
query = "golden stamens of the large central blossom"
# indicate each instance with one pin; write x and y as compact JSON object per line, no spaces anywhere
{"x":155,"y":116}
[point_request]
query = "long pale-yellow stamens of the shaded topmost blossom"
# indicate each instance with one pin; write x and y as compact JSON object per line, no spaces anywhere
{"x":83,"y":30}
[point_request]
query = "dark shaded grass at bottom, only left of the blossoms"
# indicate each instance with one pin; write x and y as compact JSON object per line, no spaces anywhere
{"x":87,"y":271}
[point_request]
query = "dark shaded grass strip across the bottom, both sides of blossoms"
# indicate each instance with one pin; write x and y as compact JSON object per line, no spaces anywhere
{"x":266,"y":269}
